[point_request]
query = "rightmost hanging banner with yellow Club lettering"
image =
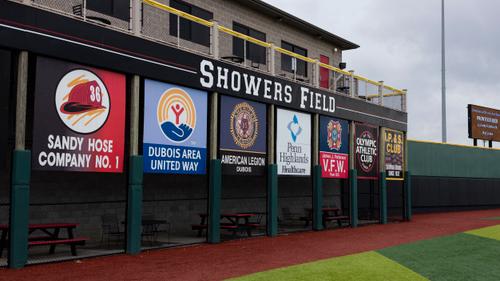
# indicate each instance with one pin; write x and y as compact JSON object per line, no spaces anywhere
{"x":394,"y":154}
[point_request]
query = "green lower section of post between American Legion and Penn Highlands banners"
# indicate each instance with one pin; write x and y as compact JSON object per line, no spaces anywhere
{"x":272,"y":200}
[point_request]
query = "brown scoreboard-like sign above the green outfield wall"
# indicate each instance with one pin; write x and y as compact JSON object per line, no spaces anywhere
{"x":483,"y":123}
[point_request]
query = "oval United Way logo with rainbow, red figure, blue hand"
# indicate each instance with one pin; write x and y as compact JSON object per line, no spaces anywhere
{"x":176,"y":115}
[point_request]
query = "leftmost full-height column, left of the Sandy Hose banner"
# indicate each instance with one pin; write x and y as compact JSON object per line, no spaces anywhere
{"x":21,"y":174}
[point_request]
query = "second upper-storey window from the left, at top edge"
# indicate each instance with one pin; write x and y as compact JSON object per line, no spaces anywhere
{"x":189,"y":30}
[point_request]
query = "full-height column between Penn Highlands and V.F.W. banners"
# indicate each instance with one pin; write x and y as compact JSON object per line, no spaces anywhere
{"x":317,"y":180}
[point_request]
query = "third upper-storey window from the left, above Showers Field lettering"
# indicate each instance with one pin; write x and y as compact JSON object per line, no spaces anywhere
{"x":254,"y":52}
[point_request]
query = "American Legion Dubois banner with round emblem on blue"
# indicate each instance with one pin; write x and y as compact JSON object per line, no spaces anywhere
{"x":242,"y":137}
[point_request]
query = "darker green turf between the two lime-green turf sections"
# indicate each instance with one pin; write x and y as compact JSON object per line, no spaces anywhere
{"x":451,"y":258}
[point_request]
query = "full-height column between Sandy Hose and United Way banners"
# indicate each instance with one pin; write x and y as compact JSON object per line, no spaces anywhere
{"x":135,"y":180}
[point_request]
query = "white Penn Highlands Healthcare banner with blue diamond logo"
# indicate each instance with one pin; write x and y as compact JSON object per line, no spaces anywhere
{"x":293,"y":143}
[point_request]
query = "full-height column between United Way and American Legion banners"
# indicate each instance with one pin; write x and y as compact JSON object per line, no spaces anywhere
{"x":214,"y":177}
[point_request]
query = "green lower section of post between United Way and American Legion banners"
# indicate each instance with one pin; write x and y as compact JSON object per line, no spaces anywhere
{"x":214,"y":195}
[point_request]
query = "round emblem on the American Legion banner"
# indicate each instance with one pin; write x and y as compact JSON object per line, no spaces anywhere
{"x":244,"y":125}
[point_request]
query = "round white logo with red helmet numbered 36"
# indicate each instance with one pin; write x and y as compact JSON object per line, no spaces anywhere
{"x":82,"y":101}
